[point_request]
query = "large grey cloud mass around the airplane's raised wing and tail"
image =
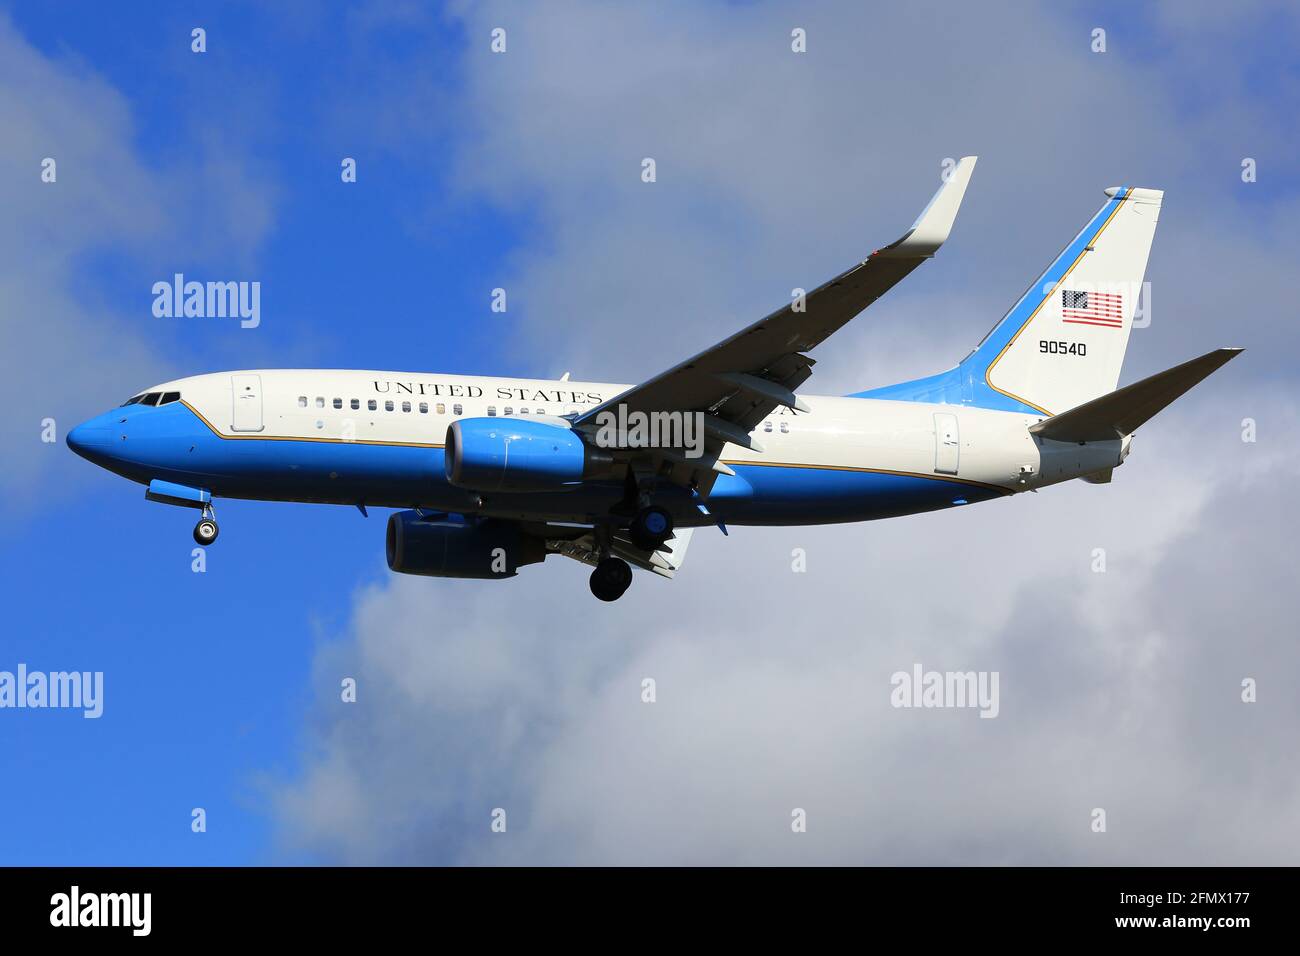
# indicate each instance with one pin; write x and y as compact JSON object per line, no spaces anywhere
{"x":1119,"y":690}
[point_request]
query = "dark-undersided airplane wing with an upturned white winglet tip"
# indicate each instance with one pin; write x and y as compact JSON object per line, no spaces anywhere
{"x":739,"y":382}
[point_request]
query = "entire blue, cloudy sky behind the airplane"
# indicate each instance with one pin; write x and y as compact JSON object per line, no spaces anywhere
{"x":1120,"y":690}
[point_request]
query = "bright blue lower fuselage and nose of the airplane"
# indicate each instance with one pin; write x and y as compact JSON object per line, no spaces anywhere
{"x":172,"y":444}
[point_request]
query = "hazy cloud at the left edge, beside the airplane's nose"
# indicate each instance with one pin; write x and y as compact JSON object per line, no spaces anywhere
{"x":76,"y":347}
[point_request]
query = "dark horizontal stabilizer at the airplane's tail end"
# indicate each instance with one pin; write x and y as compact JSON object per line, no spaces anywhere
{"x":1125,"y":410}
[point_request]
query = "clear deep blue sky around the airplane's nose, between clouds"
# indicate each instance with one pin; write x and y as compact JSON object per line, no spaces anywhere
{"x":202,"y":693}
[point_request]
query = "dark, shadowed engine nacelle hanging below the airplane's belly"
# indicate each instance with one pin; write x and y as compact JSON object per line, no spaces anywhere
{"x":452,"y":547}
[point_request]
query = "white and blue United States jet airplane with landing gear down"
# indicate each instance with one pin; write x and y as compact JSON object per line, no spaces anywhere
{"x":495,"y":474}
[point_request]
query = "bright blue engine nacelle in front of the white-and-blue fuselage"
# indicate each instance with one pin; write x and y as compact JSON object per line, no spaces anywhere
{"x":518,"y":456}
